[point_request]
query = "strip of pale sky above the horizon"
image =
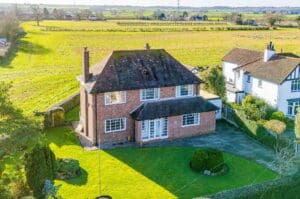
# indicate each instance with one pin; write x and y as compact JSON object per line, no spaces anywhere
{"x":193,"y":3}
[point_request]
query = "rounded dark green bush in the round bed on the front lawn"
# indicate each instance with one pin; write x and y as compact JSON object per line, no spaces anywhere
{"x":207,"y":159}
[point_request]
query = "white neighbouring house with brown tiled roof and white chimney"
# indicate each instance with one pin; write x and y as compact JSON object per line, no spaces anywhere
{"x":274,"y":77}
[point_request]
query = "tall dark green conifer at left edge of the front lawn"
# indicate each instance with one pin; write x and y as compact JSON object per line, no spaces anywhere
{"x":40,"y":165}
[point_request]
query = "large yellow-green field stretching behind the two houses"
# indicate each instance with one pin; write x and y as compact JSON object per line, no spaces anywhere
{"x":44,"y":68}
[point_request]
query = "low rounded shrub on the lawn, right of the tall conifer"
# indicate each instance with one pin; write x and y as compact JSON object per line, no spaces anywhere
{"x":68,"y":168}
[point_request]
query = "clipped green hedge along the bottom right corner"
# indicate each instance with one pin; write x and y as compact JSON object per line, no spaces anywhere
{"x":287,"y":187}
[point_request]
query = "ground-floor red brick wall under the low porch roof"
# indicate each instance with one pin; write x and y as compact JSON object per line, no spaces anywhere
{"x":175,"y":129}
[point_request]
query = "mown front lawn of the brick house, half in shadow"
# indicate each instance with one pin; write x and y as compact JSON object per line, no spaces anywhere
{"x":146,"y":172}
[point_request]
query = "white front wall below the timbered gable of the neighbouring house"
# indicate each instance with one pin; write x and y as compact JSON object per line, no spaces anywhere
{"x":285,"y":93}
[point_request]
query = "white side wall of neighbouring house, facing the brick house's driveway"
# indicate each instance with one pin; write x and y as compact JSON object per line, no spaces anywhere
{"x":268,"y":91}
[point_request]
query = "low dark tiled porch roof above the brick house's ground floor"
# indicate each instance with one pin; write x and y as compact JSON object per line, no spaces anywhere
{"x":172,"y":107}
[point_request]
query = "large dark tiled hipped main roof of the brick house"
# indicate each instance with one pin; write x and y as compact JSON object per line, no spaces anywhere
{"x":138,"y":69}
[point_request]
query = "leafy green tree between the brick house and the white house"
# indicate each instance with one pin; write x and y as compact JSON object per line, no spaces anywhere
{"x":214,"y":81}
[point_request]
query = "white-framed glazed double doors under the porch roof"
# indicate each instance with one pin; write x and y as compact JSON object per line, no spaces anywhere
{"x":146,"y":125}
